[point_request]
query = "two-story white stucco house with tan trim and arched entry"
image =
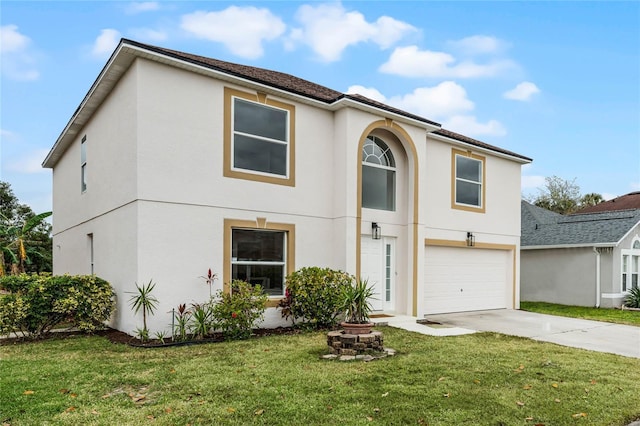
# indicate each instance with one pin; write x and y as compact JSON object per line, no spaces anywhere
{"x":175,"y":163}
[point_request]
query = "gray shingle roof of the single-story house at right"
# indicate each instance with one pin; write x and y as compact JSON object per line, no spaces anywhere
{"x":544,"y":228}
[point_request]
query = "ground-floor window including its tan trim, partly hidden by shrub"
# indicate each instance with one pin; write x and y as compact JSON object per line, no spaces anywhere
{"x":259,"y":253}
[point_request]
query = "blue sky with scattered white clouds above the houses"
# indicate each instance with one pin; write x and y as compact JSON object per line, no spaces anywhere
{"x":556,"y":81}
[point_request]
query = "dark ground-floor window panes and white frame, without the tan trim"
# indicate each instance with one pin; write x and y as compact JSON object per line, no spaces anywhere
{"x":259,"y":257}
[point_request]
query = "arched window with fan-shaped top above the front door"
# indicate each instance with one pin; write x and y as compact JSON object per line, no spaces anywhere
{"x":378,"y":175}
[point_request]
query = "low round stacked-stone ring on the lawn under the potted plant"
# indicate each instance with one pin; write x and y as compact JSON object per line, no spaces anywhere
{"x":365,"y":347}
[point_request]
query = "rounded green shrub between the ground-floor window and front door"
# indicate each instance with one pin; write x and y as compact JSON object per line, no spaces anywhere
{"x":314,"y":295}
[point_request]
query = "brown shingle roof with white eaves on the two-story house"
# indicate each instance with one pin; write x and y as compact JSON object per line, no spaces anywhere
{"x":128,"y":50}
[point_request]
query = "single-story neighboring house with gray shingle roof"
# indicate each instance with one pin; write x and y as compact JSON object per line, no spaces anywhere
{"x":587,"y":259}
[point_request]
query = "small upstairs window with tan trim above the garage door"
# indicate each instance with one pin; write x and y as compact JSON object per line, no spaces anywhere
{"x":467,"y":181}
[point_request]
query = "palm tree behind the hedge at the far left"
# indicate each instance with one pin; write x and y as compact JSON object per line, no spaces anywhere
{"x":16,"y":242}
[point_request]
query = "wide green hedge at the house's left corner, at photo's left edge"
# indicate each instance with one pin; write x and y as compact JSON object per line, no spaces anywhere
{"x":36,"y":303}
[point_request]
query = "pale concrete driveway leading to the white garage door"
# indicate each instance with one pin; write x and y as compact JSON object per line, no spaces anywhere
{"x":592,"y":335}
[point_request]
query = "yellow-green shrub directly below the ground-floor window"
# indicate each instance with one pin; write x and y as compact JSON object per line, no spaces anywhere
{"x":237,"y":312}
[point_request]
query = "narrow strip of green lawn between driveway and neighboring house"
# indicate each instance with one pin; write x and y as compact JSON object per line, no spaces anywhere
{"x":599,"y":314}
